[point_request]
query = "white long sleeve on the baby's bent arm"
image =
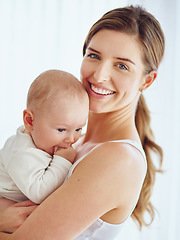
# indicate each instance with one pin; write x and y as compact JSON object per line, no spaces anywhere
{"x":37,"y":174}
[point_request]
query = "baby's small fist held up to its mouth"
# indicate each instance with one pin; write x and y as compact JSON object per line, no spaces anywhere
{"x":67,"y":153}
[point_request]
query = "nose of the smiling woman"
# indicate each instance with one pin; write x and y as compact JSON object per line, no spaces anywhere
{"x":102,"y":72}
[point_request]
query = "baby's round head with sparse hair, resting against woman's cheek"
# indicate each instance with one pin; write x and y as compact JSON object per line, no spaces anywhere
{"x":57,"y":109}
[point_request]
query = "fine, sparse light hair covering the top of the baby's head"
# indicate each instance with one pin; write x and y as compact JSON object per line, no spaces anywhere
{"x":54,"y":83}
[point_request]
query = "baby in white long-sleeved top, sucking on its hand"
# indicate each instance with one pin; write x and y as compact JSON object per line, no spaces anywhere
{"x":35,"y":161}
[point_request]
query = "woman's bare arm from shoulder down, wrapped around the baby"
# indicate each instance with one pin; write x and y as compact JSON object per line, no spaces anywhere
{"x":101,"y":182}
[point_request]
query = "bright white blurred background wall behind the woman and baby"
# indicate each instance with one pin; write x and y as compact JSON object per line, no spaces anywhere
{"x":38,"y":35}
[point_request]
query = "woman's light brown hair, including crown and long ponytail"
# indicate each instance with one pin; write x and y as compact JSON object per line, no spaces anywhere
{"x":136,"y":21}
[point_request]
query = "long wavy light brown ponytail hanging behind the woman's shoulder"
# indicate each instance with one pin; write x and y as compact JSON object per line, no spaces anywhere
{"x":142,"y":120}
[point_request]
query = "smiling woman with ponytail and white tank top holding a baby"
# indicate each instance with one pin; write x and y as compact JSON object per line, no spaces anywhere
{"x":112,"y":178}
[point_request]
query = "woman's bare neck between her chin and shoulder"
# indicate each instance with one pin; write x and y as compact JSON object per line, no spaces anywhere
{"x":110,"y":126}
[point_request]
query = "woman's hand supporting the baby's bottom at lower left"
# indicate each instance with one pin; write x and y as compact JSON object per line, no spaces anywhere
{"x":11,"y":218}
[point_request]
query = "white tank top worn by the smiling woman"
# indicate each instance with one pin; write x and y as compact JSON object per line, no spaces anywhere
{"x":101,"y":230}
